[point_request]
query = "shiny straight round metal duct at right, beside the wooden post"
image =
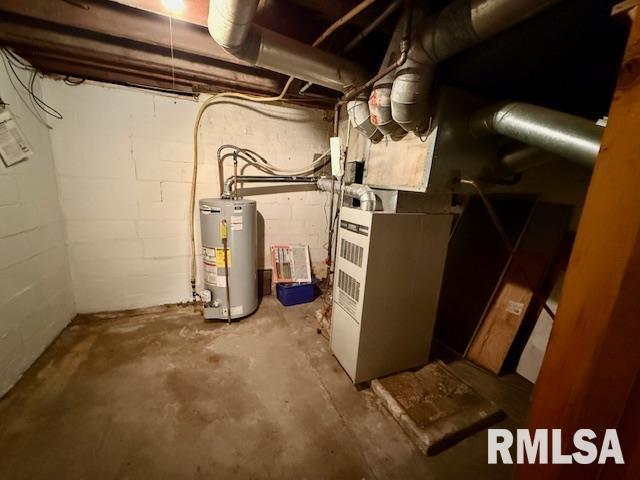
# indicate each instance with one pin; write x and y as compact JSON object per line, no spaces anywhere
{"x":566,"y":135}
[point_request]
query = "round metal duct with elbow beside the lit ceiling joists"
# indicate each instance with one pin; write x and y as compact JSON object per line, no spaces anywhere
{"x":231,"y":25}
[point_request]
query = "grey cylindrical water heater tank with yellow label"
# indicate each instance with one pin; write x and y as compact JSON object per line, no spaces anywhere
{"x":239,"y":218}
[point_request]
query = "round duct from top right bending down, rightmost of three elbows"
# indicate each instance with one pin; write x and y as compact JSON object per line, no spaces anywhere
{"x":458,"y":26}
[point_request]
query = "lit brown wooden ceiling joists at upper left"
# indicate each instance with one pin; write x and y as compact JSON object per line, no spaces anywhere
{"x":115,"y":41}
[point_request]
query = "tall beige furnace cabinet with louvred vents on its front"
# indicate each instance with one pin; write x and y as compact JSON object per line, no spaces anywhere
{"x":387,"y":281}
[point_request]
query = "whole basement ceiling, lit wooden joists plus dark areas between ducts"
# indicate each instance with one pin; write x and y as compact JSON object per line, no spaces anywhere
{"x":570,"y":61}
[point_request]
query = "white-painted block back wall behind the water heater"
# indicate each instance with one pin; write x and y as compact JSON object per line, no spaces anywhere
{"x":124,"y":161}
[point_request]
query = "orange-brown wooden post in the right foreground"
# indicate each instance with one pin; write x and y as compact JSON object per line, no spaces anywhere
{"x":590,"y":372}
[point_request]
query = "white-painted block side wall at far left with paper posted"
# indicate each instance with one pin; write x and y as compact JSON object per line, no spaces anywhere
{"x":36,"y":296}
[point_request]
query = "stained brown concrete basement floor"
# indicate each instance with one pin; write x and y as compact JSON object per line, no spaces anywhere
{"x":163,"y":395}
